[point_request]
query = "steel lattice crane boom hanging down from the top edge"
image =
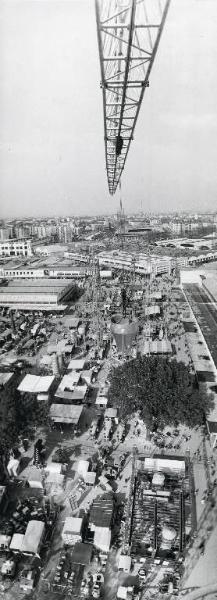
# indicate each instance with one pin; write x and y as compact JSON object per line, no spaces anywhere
{"x":129,"y":32}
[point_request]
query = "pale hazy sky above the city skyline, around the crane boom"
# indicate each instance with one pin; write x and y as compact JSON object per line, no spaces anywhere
{"x":51,"y":119}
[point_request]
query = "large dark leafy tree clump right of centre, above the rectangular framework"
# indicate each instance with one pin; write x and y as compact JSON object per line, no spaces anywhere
{"x":163,"y":391}
